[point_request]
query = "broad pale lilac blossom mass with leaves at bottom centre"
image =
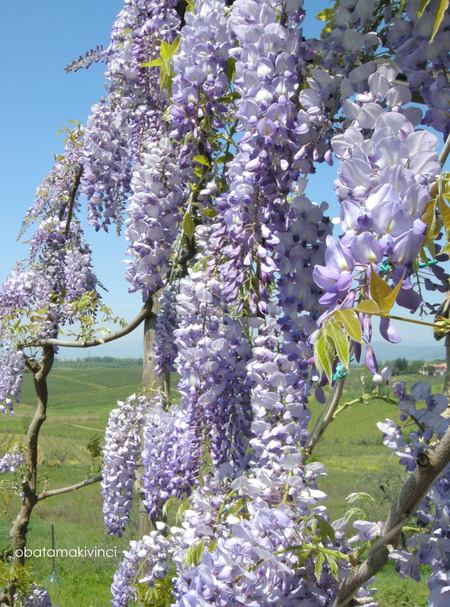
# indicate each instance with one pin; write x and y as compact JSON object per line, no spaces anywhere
{"x":251,"y":536}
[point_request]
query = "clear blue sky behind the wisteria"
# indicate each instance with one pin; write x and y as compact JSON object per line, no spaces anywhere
{"x":38,"y":40}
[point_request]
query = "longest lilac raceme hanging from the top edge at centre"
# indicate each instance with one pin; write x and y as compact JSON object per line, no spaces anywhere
{"x":268,"y":74}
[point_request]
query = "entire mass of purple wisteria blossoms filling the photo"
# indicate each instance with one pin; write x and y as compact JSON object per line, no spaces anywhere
{"x":215,"y":113}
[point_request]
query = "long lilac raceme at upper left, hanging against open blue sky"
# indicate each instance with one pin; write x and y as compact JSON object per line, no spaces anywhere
{"x":131,"y":112}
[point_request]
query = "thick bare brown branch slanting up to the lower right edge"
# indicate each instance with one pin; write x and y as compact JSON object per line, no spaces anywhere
{"x":404,"y":506}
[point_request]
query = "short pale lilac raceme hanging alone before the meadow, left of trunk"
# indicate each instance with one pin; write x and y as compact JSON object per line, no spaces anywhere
{"x":120,"y":458}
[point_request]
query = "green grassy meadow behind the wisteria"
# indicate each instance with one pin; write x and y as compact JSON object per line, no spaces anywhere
{"x":79,"y":404}
